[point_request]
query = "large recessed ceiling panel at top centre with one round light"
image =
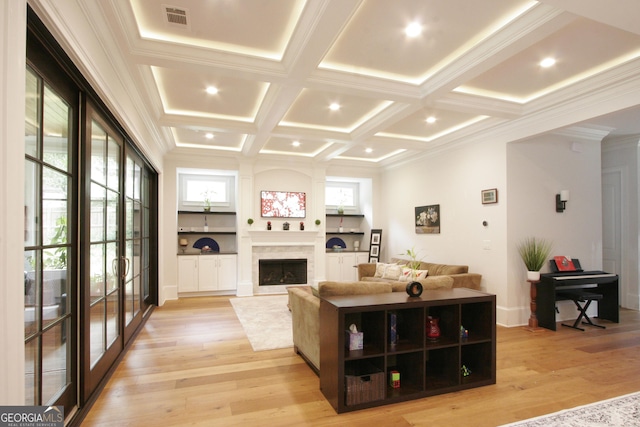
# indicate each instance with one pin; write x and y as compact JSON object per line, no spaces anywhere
{"x":374,"y":42}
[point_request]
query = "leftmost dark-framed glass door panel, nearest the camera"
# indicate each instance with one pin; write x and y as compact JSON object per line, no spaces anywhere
{"x":49,"y":243}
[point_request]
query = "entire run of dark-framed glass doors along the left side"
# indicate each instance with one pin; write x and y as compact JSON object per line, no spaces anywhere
{"x":90,"y":257}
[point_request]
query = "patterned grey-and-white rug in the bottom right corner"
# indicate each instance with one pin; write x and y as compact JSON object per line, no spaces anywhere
{"x":620,"y":411}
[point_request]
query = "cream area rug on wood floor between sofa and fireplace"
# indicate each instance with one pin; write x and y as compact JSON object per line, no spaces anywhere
{"x":266,"y":320}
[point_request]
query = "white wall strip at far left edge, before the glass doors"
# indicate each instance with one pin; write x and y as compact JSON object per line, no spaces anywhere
{"x":13,"y":32}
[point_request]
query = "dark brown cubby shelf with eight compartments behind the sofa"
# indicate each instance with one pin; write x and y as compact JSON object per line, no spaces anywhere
{"x":427,"y":367}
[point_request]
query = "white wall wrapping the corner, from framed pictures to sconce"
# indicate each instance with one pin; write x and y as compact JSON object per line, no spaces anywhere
{"x":527,"y":175}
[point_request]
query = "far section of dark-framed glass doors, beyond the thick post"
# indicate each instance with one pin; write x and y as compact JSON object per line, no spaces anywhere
{"x":118,"y":272}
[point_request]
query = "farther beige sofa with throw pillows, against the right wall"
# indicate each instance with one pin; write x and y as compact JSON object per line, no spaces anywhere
{"x":459,"y":273}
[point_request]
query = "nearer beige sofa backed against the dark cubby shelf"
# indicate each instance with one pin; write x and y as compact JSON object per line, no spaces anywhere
{"x":305,"y":309}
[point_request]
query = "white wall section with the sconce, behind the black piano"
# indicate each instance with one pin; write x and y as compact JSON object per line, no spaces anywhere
{"x":537,"y":169}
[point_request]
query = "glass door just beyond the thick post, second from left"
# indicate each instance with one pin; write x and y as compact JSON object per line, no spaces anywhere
{"x":106,"y":266}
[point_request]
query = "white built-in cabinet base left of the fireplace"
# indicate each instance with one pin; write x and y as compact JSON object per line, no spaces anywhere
{"x":207,"y":273}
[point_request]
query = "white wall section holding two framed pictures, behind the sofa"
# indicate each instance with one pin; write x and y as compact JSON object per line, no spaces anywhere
{"x":454,"y":180}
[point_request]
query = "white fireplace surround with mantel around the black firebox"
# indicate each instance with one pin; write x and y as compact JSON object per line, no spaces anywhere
{"x":275,"y":244}
